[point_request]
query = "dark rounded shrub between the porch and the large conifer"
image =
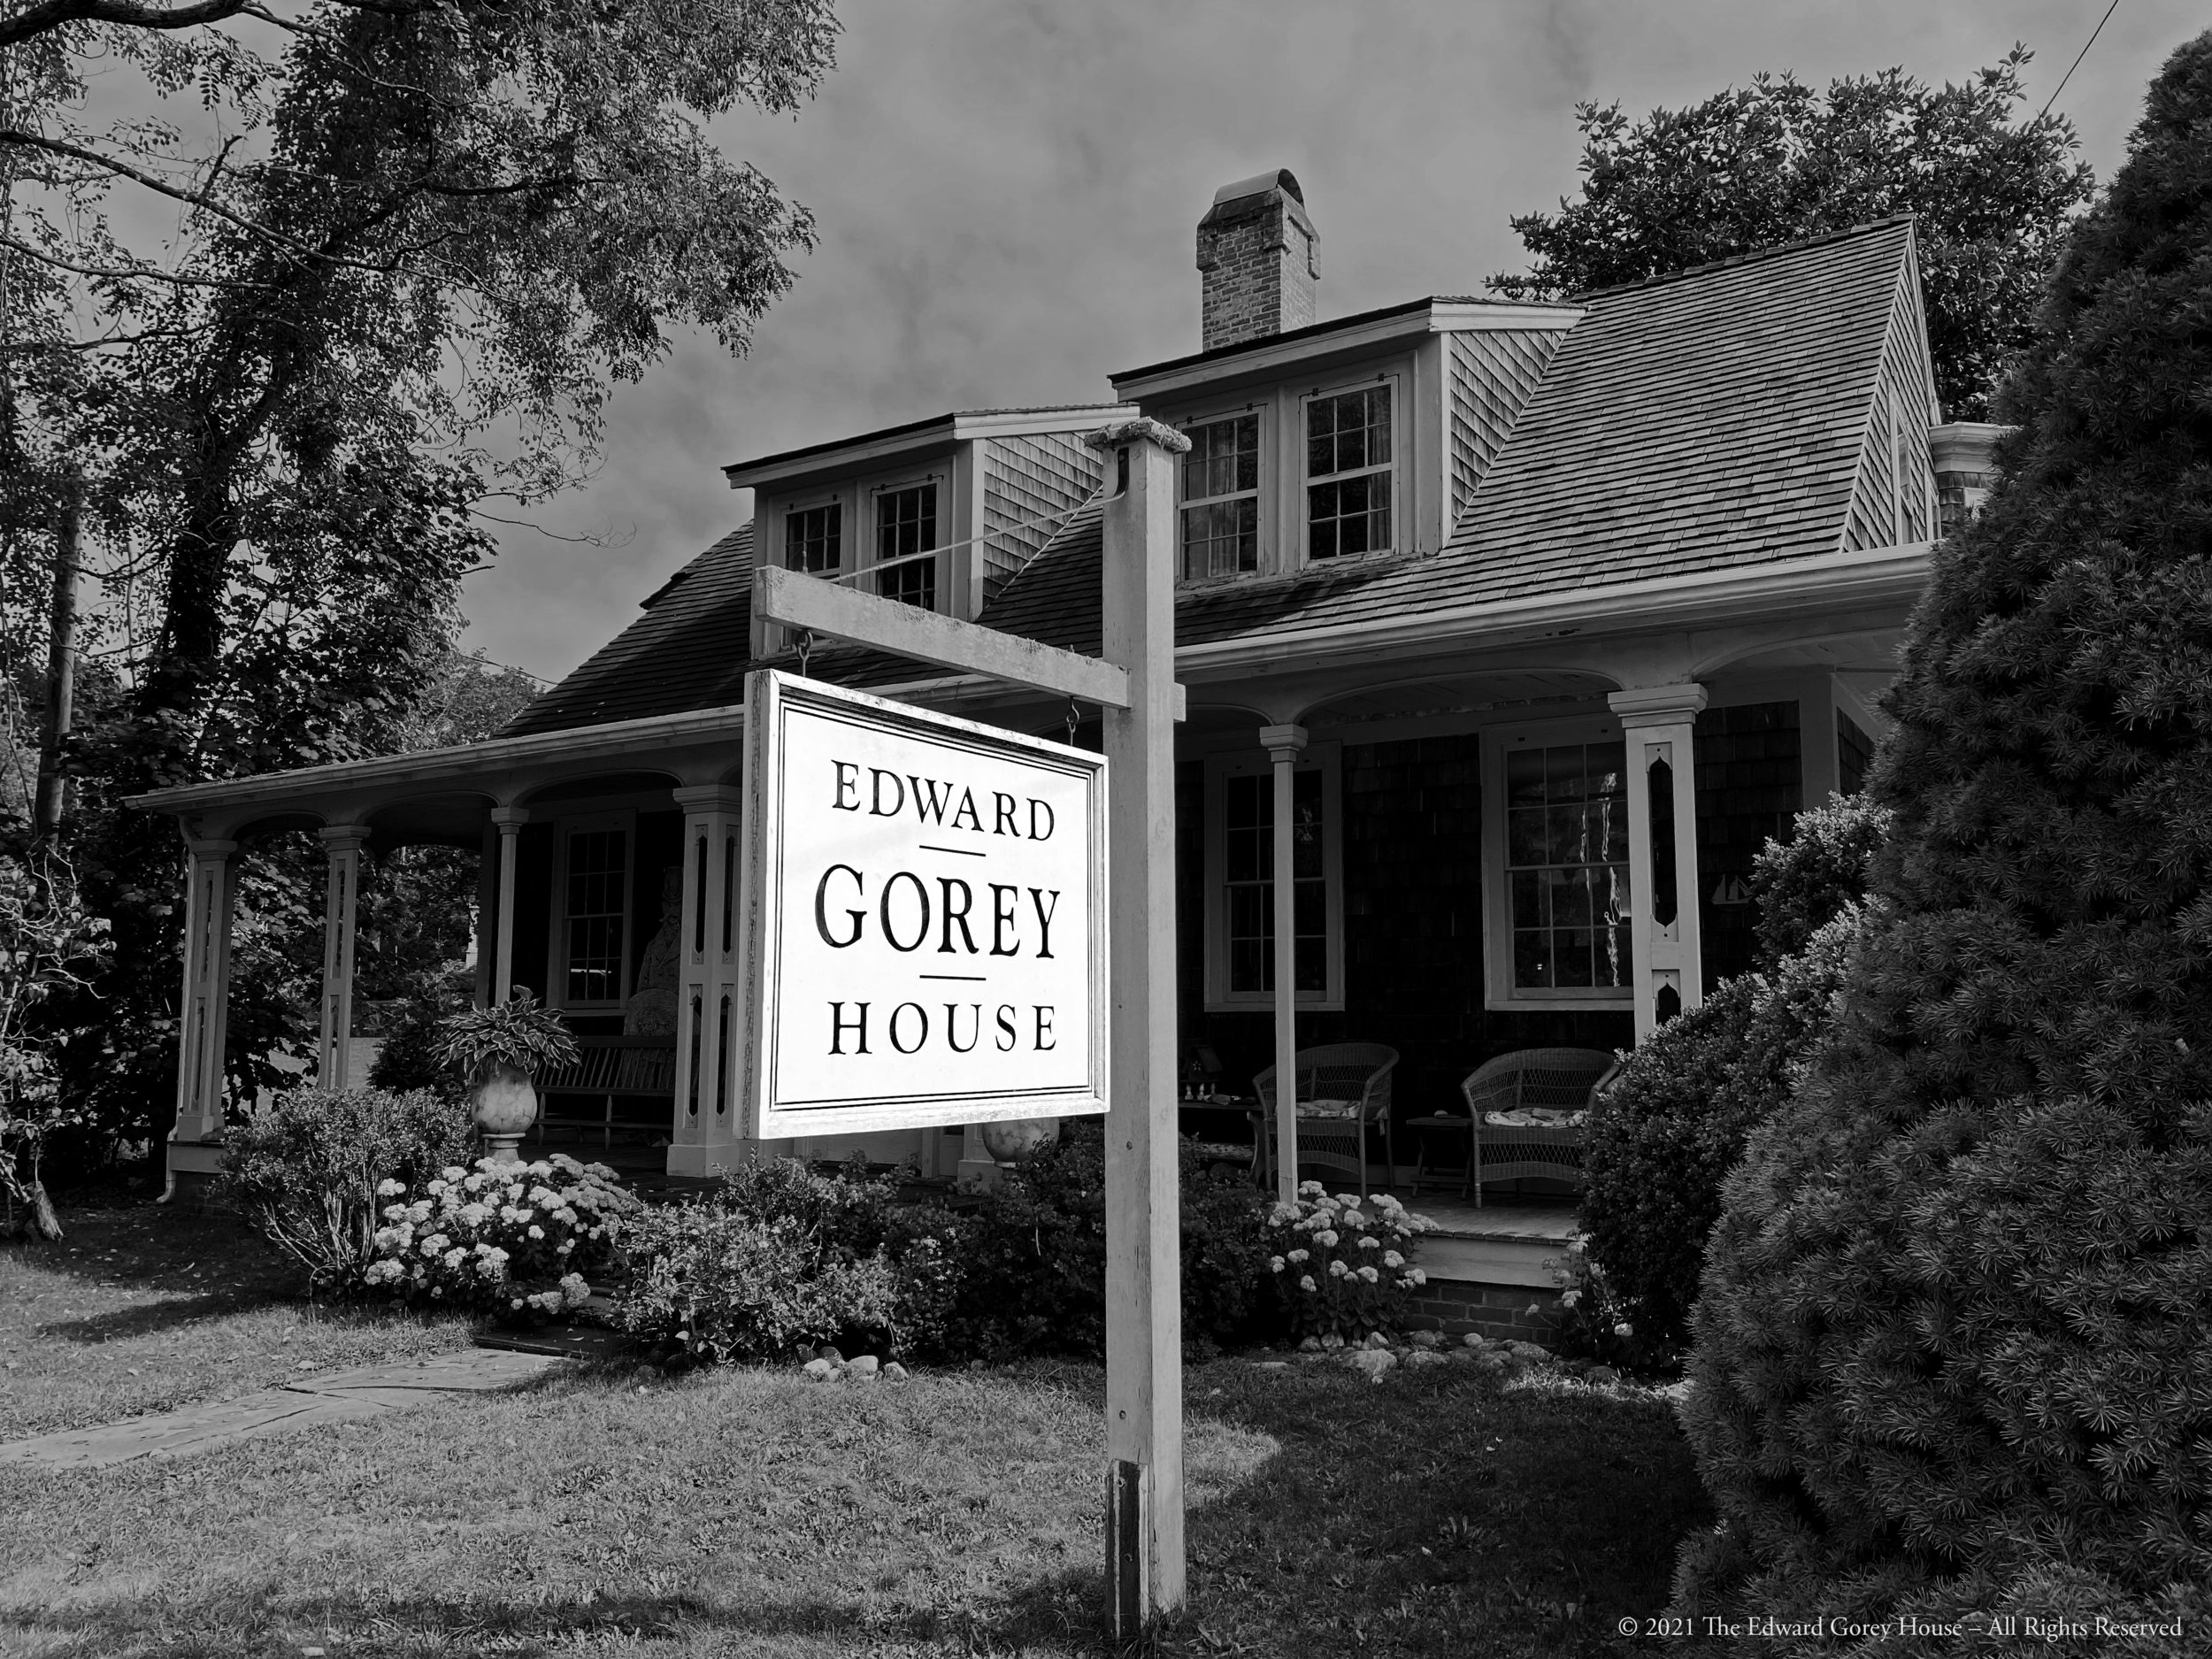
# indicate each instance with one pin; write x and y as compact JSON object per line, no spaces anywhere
{"x":1678,"y":1118}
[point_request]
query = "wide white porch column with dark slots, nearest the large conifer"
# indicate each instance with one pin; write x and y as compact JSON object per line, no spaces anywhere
{"x":1660,"y":727}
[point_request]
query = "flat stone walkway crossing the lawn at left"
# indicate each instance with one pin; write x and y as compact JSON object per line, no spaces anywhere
{"x":335,"y":1397}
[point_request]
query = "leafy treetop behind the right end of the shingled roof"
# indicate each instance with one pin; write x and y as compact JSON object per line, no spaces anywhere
{"x":1777,"y":163}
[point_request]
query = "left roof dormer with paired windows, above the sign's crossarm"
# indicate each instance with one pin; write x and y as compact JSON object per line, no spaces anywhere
{"x":939,"y":514}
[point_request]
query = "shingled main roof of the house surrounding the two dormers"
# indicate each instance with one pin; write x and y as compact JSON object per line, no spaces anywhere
{"x":1687,"y":424}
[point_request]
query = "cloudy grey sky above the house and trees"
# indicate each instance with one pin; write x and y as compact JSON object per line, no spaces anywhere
{"x":1008,"y":200}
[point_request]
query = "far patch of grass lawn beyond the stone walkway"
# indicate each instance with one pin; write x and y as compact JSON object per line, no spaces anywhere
{"x":147,"y":1311}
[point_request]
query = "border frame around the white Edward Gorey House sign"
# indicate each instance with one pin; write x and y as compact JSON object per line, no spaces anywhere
{"x":771,"y":698}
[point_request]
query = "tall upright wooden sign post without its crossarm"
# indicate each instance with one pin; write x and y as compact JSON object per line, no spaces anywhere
{"x":1145,"y":1308}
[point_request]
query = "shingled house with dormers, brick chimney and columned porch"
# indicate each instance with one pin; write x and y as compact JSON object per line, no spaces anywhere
{"x":1550,"y":612}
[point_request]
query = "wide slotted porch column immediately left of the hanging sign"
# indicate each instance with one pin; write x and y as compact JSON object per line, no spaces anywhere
{"x":705,"y":1134}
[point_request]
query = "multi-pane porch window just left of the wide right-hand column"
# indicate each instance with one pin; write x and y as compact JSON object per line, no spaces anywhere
{"x":1567,"y":866}
